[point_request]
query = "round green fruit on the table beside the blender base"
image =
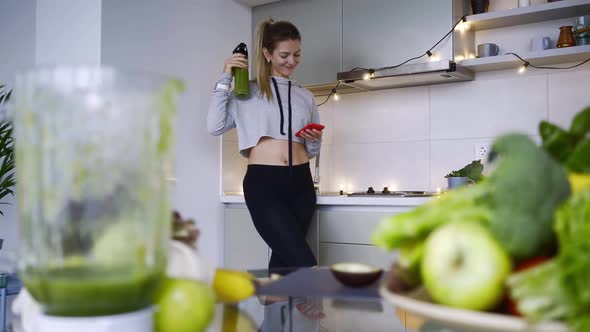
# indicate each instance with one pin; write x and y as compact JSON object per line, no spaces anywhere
{"x":184,"y":305}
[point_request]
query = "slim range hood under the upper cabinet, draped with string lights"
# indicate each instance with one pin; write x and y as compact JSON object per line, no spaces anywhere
{"x":434,"y":72}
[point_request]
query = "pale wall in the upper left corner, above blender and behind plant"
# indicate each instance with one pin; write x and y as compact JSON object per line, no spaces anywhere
{"x":44,"y":32}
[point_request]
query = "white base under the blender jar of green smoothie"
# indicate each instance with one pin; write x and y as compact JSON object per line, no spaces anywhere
{"x":137,"y":321}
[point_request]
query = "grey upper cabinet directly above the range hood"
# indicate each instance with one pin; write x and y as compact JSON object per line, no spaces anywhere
{"x":379,"y":33}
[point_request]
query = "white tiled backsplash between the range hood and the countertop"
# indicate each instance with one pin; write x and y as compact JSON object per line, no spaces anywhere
{"x":410,"y":138}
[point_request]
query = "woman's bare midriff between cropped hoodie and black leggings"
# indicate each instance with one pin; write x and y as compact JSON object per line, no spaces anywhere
{"x":270,"y":151}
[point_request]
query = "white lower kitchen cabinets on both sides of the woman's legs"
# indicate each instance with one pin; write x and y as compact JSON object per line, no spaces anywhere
{"x":336,"y":234}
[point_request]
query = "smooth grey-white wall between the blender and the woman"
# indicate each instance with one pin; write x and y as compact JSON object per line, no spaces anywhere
{"x":190,"y":40}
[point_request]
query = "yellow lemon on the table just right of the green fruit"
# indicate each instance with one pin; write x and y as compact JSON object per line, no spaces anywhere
{"x":232,"y":286}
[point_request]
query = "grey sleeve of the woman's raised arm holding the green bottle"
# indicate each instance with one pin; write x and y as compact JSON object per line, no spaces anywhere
{"x":219,"y":118}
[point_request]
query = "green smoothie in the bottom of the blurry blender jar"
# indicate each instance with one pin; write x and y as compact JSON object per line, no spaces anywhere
{"x":92,"y":291}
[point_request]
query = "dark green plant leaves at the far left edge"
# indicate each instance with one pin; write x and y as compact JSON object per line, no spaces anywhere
{"x":7,"y":180}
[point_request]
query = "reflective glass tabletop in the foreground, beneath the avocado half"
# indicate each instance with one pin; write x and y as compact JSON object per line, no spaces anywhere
{"x":308,"y":306}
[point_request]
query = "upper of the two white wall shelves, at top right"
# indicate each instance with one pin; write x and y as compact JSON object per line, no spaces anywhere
{"x":532,"y":14}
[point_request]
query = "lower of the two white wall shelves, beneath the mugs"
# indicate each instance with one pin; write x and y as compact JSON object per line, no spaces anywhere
{"x":541,"y":58}
